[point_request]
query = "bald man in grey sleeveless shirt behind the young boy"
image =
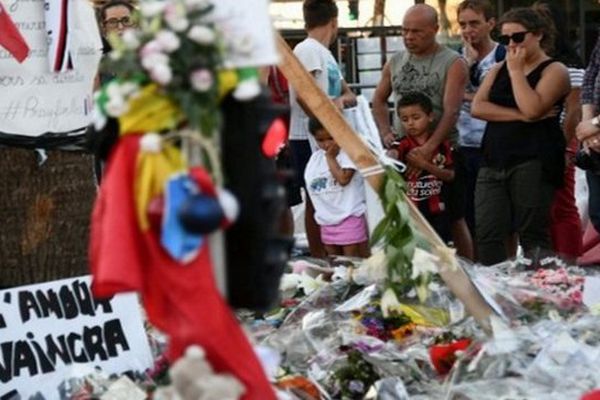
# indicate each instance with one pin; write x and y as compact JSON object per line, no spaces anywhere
{"x":426,"y":66}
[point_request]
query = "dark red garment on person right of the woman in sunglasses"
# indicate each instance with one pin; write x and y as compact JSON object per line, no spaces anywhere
{"x":565,"y":223}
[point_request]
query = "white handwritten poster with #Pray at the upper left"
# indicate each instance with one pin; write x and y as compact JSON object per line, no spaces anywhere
{"x":35,"y":100}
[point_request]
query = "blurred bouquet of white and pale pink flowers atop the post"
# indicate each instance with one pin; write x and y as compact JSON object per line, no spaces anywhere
{"x":179,"y":52}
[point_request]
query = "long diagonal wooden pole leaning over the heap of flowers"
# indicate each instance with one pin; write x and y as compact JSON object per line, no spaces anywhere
{"x":332,"y":119}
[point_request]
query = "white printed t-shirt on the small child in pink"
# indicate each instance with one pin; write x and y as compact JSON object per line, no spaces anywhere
{"x":333,"y":202}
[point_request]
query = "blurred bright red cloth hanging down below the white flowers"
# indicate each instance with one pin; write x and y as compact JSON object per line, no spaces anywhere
{"x":182,"y":300}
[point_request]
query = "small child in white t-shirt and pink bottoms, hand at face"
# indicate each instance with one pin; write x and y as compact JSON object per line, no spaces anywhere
{"x":338,"y":195}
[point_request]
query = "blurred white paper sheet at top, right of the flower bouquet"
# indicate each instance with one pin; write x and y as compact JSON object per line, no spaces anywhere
{"x":248,"y":32}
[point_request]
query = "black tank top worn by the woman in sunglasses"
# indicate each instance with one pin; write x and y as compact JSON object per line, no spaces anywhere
{"x":506,"y":144}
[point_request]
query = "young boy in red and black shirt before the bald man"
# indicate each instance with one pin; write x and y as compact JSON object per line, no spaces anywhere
{"x":427,"y":188}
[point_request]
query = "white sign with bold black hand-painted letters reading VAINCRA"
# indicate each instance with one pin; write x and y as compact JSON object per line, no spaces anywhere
{"x":54,"y":331}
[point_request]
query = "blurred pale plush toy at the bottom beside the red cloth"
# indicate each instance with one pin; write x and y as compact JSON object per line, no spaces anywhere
{"x":193,"y":378}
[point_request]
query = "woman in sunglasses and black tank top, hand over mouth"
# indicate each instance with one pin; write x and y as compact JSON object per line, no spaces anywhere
{"x":523,"y":145}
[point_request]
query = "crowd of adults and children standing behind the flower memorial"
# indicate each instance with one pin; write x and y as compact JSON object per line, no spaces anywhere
{"x":490,"y":135}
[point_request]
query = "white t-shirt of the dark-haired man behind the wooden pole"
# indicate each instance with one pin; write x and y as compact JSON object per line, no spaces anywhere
{"x":318,"y":60}
